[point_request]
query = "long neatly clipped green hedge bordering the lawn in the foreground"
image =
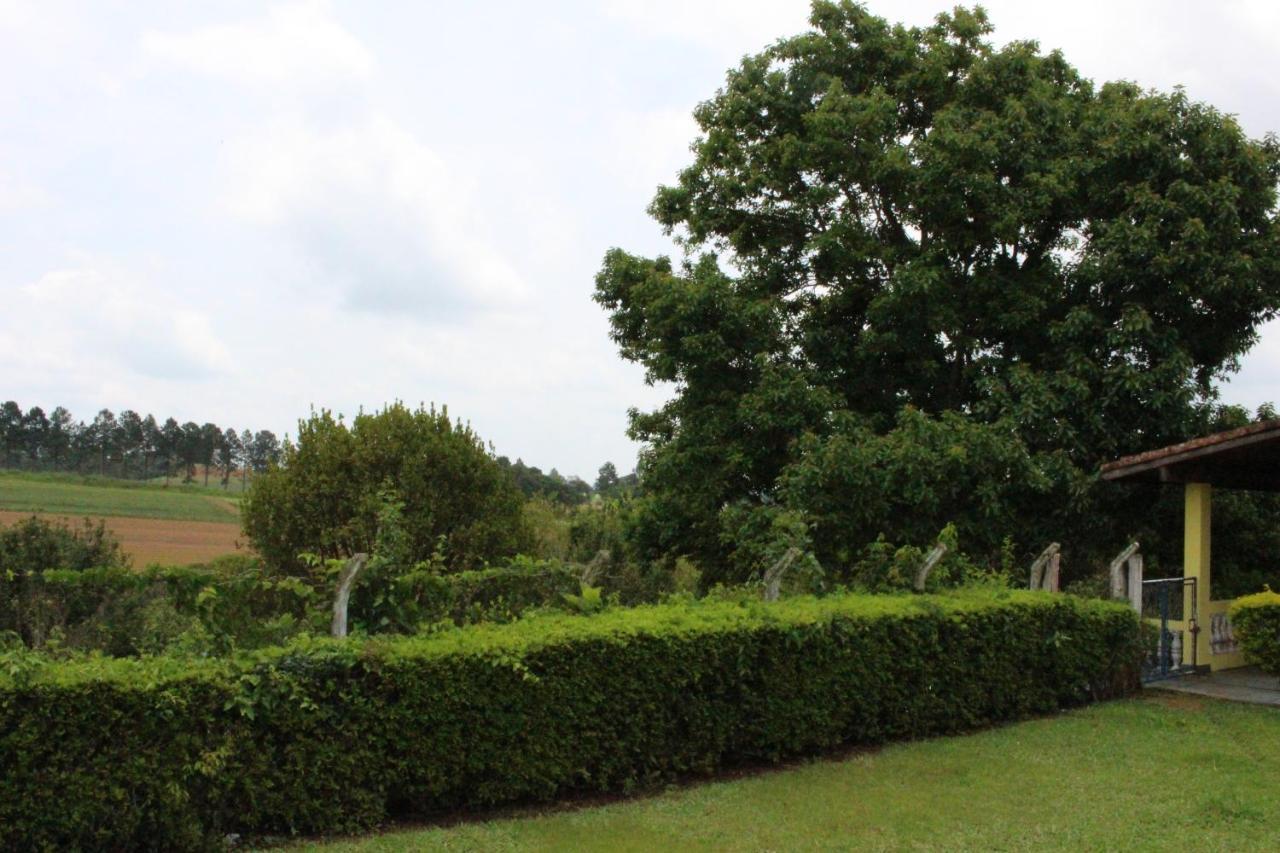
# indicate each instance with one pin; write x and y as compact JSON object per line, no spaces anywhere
{"x":330,"y":736}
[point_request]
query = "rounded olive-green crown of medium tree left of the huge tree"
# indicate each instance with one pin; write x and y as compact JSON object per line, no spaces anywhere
{"x":327,"y":495}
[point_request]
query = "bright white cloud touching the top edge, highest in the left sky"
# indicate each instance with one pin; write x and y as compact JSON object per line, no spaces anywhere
{"x":294,"y":44}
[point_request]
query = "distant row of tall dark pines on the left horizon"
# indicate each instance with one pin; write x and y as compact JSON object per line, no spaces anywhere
{"x":130,"y":445}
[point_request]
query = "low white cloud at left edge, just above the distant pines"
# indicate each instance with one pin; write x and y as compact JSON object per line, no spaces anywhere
{"x":100,"y":321}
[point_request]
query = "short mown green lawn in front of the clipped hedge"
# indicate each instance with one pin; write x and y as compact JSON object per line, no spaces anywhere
{"x":1160,"y":773}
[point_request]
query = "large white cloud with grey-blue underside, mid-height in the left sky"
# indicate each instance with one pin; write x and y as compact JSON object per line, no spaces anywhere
{"x":377,"y":215}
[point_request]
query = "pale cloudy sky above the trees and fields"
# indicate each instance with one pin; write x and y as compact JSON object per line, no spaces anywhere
{"x":237,"y":212}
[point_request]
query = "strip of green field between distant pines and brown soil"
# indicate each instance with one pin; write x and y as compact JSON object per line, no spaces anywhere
{"x":90,"y":496}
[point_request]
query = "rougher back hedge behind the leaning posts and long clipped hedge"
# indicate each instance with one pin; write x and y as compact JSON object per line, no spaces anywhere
{"x":236,"y":604}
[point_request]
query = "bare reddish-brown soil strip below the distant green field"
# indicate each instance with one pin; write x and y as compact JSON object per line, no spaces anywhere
{"x":162,"y":540}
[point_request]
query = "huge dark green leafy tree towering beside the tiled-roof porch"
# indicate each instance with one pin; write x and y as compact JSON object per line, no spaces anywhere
{"x":907,"y":238}
